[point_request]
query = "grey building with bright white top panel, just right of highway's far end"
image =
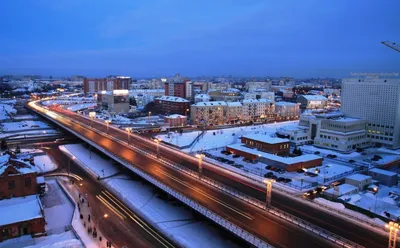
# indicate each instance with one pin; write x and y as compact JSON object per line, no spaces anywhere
{"x":116,"y":101}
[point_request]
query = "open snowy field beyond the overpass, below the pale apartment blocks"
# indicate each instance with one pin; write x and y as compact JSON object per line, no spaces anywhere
{"x":222,"y":137}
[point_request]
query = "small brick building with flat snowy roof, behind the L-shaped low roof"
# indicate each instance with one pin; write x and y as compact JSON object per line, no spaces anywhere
{"x":268,"y":144}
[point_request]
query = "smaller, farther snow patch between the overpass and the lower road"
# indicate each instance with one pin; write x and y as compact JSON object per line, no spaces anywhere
{"x":98,"y":165}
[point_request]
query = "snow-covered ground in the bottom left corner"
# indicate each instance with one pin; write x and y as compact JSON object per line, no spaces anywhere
{"x":62,"y":240}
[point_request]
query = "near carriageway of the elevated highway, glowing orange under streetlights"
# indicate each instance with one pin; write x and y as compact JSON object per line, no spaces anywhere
{"x":257,"y":221}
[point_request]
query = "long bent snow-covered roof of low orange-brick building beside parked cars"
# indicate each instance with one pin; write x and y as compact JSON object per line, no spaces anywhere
{"x":284,"y":160}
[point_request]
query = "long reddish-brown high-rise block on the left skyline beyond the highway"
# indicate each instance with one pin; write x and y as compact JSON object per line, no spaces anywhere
{"x":94,"y":85}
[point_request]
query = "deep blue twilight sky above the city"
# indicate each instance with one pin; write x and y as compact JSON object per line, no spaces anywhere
{"x":145,"y":38}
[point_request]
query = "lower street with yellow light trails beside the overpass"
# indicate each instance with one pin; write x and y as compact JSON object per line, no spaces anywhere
{"x":126,"y":231}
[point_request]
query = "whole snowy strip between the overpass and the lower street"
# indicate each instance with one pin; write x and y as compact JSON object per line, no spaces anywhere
{"x":176,"y":221}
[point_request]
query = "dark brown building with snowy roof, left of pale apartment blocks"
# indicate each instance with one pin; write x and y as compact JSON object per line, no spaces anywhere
{"x":172,"y":105}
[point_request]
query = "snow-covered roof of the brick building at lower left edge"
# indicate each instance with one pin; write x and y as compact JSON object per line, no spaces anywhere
{"x":19,"y":209}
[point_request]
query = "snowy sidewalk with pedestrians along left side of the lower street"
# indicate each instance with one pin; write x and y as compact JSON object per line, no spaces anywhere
{"x":81,"y":225}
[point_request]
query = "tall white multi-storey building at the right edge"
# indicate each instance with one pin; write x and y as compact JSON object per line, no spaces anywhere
{"x":376,"y":99}
